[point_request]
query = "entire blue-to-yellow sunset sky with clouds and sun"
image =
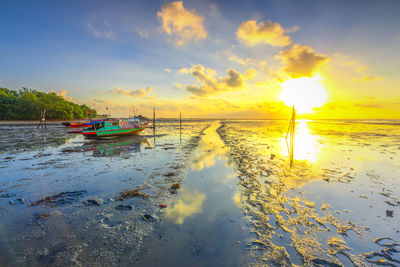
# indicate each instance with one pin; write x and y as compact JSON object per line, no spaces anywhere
{"x":208,"y":59}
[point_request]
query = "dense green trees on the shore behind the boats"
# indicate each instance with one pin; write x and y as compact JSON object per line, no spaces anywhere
{"x":27,"y":104}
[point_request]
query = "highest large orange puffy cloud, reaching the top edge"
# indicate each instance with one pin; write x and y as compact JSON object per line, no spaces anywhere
{"x":181,"y":24}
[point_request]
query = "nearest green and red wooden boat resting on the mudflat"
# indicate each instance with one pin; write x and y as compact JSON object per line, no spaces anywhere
{"x":112,"y":127}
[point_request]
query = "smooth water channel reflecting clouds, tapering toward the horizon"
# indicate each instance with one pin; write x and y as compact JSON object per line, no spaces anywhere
{"x":202,"y":222}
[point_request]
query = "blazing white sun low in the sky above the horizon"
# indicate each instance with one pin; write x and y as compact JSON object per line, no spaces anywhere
{"x":304,"y":93}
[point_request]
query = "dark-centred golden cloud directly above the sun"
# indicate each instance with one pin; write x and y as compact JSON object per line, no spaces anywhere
{"x":301,"y":61}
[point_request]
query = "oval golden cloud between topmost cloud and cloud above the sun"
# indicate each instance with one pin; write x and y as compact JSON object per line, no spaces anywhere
{"x":252,"y":33}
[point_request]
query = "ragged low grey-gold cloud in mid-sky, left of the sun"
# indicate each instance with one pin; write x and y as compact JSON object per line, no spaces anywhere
{"x":211,"y":85}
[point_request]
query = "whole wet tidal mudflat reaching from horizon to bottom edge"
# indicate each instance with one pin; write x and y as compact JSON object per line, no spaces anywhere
{"x":214,"y":193}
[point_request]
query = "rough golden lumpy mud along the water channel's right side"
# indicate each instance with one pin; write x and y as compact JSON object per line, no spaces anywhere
{"x":264,"y":199}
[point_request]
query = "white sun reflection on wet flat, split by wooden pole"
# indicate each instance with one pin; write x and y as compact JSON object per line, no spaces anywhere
{"x":306,"y":145}
